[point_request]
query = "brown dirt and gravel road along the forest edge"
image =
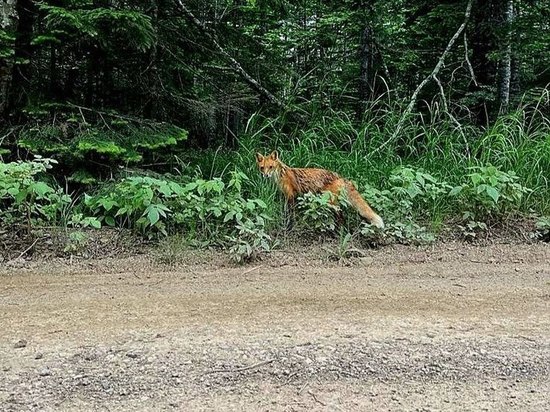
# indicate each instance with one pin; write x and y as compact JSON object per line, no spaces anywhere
{"x":451,"y":328}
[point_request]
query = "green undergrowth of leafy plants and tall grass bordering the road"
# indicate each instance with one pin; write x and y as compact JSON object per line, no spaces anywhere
{"x":433,"y":176}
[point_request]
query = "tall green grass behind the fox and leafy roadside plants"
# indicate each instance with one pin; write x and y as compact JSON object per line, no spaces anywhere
{"x":433,"y":142}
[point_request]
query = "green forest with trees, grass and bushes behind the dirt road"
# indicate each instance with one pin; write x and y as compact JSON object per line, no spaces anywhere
{"x":147,"y":115}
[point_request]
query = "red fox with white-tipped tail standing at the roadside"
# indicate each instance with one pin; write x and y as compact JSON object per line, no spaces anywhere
{"x":294,"y":181}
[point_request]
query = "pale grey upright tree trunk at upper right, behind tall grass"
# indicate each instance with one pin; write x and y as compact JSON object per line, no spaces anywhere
{"x":505,"y":67}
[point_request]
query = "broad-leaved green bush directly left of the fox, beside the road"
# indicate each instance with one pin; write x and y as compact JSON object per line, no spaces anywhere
{"x":212,"y":210}
